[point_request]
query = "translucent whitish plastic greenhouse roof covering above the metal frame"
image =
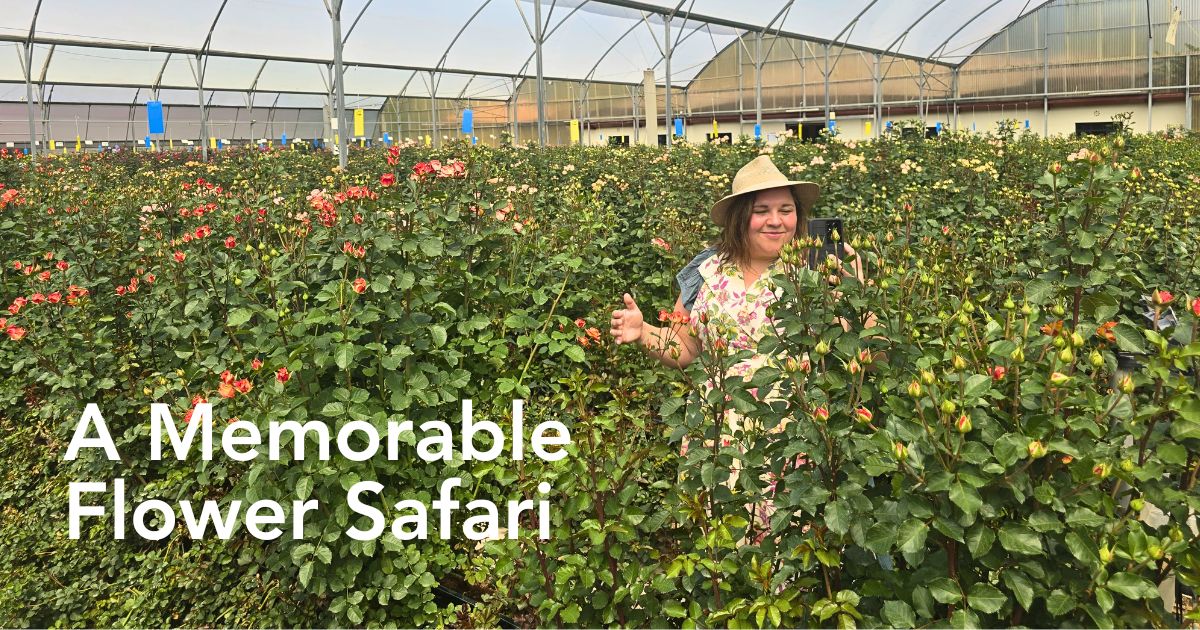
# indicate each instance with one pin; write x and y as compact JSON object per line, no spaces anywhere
{"x":476,"y":46}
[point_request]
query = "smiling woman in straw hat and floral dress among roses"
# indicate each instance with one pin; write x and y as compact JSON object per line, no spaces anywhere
{"x":725,"y":291}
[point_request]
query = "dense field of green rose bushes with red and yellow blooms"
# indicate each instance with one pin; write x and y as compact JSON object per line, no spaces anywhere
{"x":1016,"y":442}
